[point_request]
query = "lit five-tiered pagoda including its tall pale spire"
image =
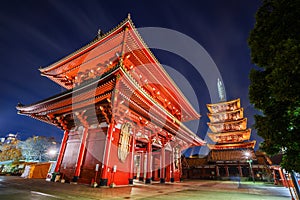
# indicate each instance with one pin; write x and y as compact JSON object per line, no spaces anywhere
{"x":231,"y":136}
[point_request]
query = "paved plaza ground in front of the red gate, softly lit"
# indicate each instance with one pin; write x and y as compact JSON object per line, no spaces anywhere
{"x":19,"y":188}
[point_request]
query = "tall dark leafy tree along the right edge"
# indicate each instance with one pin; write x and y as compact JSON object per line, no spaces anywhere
{"x":275,"y":85}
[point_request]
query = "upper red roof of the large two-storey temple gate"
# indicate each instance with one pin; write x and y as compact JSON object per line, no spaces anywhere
{"x":122,"y":45}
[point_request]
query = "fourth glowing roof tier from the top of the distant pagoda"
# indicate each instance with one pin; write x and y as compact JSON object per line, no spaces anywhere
{"x":230,"y":137}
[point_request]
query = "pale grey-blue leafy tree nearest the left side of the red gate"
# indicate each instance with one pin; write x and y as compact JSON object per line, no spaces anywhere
{"x":37,"y":148}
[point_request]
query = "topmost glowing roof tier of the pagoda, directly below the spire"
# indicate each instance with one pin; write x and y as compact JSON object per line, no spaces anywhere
{"x":224,"y":106}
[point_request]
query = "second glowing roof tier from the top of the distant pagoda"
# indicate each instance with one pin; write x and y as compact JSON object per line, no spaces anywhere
{"x":226,"y":116}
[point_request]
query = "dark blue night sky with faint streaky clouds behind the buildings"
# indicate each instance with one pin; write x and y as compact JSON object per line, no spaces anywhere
{"x":37,"y":33}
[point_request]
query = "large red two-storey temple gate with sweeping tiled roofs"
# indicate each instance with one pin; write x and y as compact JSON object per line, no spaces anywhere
{"x":122,"y":115}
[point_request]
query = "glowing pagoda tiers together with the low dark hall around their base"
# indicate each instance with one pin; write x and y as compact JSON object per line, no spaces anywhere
{"x":232,"y":154}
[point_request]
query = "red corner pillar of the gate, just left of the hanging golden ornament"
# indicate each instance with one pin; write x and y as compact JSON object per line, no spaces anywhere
{"x":105,"y":167}
